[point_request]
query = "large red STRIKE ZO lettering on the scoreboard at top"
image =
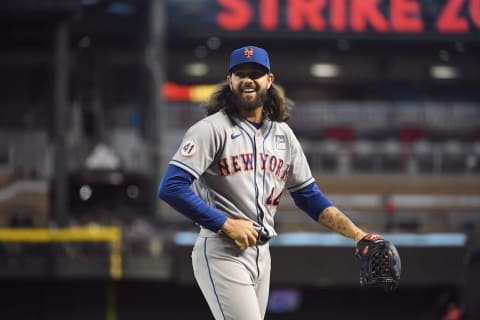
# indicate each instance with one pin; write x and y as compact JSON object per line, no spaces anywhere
{"x":397,"y":16}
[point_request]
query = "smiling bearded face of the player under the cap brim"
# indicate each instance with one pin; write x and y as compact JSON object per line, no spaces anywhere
{"x":249,"y":84}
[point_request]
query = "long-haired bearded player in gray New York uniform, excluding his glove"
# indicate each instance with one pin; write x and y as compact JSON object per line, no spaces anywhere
{"x":243,"y":157}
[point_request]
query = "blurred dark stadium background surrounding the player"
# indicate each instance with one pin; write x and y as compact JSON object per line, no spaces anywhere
{"x":96,"y":95}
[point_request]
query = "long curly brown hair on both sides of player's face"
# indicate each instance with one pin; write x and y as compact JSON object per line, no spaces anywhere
{"x":277,"y":106}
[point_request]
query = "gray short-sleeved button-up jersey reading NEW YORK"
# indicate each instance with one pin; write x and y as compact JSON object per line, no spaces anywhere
{"x":242,"y":170}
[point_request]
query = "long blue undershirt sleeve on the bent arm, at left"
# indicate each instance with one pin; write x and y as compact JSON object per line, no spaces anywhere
{"x":175,"y":190}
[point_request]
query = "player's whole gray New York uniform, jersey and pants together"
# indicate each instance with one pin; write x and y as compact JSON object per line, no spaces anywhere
{"x":242,"y":171}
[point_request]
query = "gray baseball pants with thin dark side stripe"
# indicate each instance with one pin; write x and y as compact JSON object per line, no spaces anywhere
{"x":234,"y":282}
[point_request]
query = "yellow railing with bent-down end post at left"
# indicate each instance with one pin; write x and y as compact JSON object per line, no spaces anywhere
{"x":113,"y":235}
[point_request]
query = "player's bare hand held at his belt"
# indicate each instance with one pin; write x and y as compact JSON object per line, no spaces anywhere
{"x":241,"y":231}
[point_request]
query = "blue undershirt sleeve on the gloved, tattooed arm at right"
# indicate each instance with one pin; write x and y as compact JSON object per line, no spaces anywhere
{"x":311,"y":200}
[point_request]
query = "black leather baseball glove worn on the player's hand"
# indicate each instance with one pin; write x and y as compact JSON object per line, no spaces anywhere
{"x":380,"y":264}
